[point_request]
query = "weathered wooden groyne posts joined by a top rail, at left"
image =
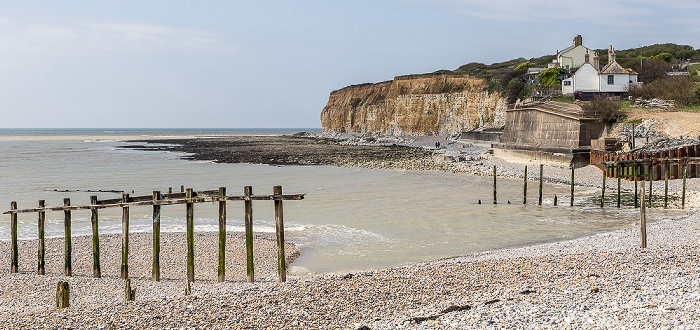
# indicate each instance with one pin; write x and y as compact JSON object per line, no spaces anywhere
{"x":157,"y":200}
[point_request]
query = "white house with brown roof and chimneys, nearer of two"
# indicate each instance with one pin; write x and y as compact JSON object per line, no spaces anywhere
{"x":587,"y":81}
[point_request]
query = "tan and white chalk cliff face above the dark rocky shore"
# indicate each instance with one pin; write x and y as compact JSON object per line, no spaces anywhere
{"x":423,"y":104}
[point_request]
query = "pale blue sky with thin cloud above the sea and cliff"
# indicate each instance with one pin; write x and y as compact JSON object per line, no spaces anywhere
{"x":272,"y":64}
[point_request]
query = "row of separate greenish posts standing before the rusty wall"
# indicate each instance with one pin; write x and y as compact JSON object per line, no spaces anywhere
{"x":637,"y":173}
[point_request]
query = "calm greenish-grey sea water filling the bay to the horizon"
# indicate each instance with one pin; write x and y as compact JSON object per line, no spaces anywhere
{"x":351,"y":219}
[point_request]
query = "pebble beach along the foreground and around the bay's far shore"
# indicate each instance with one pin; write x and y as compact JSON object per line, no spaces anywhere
{"x":601,"y":281}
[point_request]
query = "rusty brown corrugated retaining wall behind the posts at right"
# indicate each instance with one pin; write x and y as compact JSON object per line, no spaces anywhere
{"x":674,"y":159}
